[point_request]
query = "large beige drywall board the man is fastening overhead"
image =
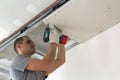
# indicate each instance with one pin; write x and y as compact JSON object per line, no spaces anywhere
{"x":84,"y":19}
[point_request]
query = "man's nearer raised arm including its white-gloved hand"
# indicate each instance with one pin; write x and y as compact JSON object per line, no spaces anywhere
{"x":48,"y":61}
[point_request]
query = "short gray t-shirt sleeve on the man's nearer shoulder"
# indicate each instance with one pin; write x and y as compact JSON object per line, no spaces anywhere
{"x":20,"y":62}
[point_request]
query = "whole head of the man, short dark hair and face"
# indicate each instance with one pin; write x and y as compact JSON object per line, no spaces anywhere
{"x":24,"y":45}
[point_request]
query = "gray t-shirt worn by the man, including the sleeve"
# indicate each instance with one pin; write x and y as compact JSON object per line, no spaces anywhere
{"x":18,"y":69}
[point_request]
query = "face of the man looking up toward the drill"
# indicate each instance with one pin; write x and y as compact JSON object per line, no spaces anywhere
{"x":28,"y":46}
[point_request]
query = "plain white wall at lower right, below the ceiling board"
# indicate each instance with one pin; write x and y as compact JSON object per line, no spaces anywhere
{"x":96,"y":59}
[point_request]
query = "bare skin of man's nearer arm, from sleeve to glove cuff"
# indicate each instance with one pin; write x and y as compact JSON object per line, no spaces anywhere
{"x":46,"y":63}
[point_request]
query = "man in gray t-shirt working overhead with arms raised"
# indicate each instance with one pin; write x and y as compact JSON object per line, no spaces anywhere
{"x":23,"y":67}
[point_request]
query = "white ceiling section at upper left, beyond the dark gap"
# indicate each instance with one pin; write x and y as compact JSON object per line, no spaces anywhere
{"x":15,"y":13}
